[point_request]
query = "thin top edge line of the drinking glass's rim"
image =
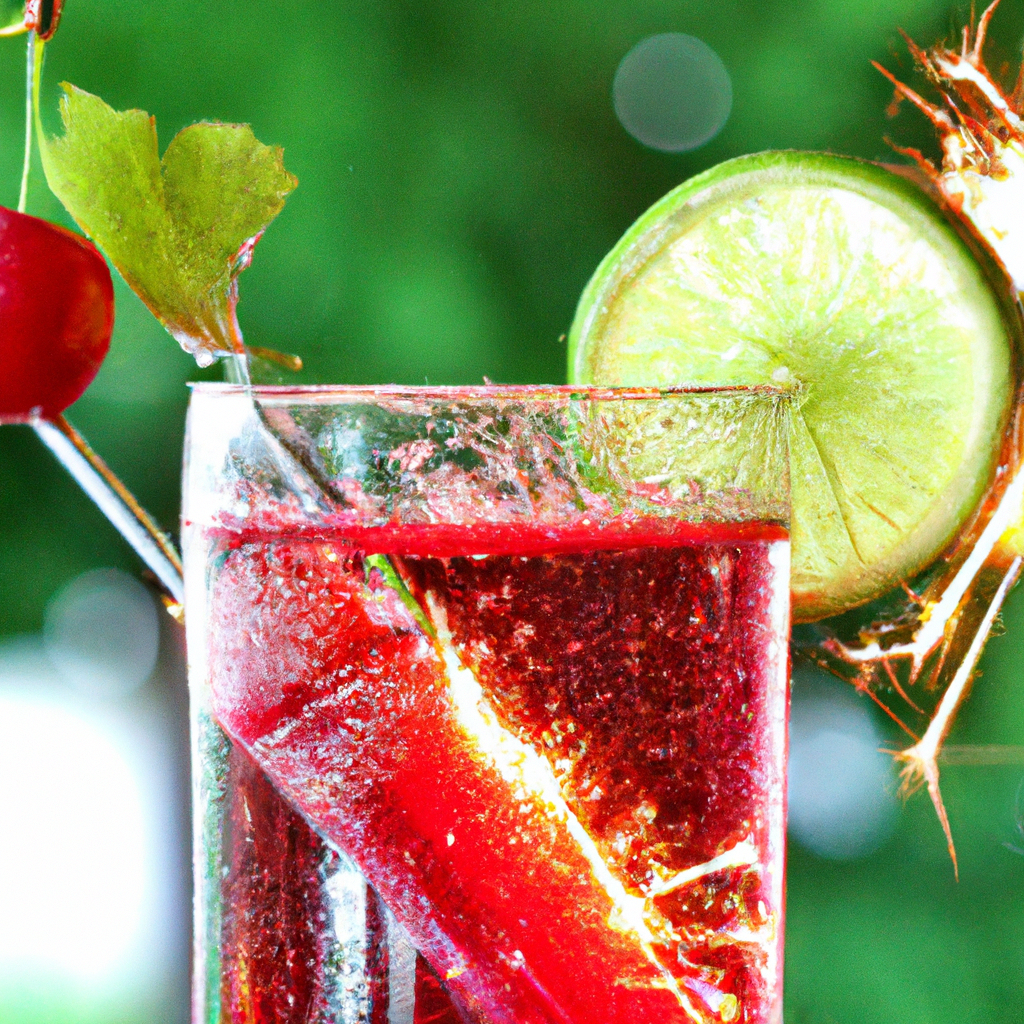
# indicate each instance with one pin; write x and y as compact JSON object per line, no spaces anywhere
{"x":538,"y":393}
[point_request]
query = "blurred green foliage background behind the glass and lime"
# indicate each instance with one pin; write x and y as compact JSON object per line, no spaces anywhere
{"x":462,"y":173}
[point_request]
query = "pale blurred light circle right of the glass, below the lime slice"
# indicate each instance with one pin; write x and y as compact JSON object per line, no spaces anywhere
{"x":842,"y":803}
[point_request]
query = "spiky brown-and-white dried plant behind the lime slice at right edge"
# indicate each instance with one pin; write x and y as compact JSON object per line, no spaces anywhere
{"x":937,"y":641}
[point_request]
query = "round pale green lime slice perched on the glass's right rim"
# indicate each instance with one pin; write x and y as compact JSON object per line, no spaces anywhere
{"x":845,"y":281}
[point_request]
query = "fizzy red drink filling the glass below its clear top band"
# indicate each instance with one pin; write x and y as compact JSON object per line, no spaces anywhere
{"x":556,"y":754}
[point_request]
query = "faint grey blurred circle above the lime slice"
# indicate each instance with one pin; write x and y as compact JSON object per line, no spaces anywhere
{"x":672,"y":93}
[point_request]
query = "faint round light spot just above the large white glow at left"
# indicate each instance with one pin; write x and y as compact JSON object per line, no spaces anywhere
{"x":103,"y":633}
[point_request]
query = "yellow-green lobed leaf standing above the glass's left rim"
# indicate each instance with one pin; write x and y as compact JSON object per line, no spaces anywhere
{"x":179,"y":230}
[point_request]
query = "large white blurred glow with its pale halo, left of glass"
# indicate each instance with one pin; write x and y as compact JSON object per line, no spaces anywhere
{"x":89,"y":836}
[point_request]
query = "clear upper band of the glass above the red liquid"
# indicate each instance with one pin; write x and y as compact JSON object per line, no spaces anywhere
{"x":698,"y":453}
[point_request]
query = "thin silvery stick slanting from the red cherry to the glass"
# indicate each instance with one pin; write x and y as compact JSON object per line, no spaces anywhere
{"x":116,"y":502}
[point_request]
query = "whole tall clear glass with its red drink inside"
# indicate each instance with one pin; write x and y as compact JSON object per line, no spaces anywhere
{"x":490,"y":695}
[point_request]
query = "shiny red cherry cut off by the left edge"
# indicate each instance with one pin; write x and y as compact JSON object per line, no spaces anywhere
{"x":57,"y":317}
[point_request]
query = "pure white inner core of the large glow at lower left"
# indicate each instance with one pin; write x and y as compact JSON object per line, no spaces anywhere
{"x":74,"y":863}
